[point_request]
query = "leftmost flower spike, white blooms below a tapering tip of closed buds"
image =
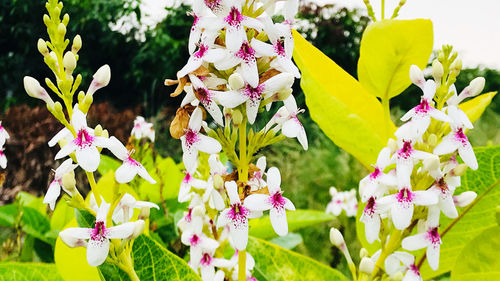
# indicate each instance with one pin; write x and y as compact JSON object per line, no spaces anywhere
{"x":81,"y":146}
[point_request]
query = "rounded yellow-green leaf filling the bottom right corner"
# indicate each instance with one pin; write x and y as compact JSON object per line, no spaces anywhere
{"x":479,"y":260}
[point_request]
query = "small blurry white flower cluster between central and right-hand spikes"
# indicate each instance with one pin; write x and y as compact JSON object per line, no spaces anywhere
{"x":342,"y":201}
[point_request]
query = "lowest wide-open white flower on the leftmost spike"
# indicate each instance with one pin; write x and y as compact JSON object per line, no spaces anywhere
{"x":98,"y":237}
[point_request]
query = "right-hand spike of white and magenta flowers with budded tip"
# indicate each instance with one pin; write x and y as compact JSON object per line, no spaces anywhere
{"x":415,"y":177}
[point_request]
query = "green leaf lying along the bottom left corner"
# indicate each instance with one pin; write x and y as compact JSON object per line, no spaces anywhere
{"x":14,"y":271}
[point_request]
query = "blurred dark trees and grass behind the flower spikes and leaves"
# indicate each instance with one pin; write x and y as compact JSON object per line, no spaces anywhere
{"x":141,"y":59}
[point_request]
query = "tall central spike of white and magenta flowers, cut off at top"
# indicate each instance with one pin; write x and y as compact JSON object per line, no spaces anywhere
{"x":240,"y":64}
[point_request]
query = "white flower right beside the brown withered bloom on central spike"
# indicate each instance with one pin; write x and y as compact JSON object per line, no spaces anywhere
{"x":193,"y":141}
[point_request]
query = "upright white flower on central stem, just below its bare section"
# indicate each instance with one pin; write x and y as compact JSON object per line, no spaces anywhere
{"x":236,"y":216}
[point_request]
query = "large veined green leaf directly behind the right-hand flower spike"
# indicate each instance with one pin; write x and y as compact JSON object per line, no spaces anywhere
{"x":475,"y":218}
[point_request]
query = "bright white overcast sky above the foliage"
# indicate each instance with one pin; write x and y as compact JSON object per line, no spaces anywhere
{"x":471,"y":26}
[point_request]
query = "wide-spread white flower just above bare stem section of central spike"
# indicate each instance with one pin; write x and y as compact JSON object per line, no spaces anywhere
{"x":253,"y":95}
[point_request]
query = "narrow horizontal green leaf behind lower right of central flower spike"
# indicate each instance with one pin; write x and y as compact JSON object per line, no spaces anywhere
{"x":262,"y":228}
